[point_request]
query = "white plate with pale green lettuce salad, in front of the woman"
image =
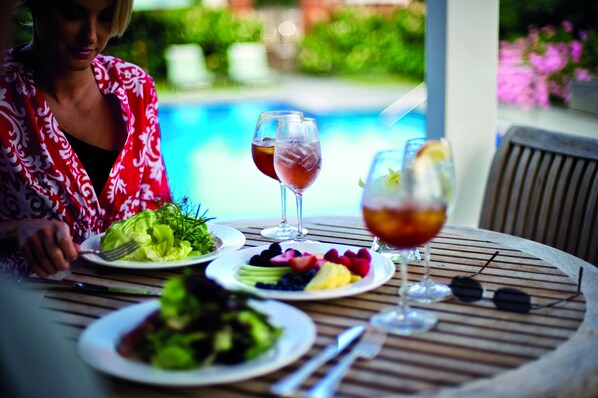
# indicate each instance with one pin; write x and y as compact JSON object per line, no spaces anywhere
{"x":168,"y":237}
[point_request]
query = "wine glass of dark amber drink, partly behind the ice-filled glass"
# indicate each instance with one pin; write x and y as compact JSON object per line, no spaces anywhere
{"x":262,"y":151}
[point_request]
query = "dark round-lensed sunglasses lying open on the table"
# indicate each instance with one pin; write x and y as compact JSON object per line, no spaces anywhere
{"x":465,"y":288}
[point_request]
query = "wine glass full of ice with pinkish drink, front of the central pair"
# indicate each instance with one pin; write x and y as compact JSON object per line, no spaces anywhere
{"x":297,"y":160}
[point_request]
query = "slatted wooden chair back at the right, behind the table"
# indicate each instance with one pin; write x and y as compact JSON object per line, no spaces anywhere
{"x":543,"y":186}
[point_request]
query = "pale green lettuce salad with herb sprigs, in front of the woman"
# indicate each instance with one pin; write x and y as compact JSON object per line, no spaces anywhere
{"x":165,"y":234}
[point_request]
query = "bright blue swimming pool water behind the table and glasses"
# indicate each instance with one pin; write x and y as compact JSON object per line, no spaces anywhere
{"x":207,"y":151}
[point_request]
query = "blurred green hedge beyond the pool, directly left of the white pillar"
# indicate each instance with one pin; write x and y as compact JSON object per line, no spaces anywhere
{"x":356,"y":41}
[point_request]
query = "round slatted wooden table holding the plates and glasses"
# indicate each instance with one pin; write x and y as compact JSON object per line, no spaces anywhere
{"x":475,"y":350}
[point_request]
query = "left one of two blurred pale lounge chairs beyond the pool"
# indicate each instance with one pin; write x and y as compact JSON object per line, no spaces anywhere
{"x":186,"y":66}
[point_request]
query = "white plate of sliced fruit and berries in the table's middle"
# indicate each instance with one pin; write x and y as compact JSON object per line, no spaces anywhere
{"x":306,"y":271}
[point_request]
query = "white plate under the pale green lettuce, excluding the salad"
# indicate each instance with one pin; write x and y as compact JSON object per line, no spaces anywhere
{"x":231,"y":238}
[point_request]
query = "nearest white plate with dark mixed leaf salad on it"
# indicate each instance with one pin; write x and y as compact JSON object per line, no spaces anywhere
{"x":196,"y":334}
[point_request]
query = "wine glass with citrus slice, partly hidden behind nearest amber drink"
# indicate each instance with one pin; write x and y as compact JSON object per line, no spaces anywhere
{"x":427,"y":290}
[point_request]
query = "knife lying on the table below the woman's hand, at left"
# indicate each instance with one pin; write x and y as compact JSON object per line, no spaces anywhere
{"x":37,"y":283}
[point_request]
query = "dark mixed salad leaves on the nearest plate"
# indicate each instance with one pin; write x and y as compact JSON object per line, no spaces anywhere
{"x":200,"y":323}
